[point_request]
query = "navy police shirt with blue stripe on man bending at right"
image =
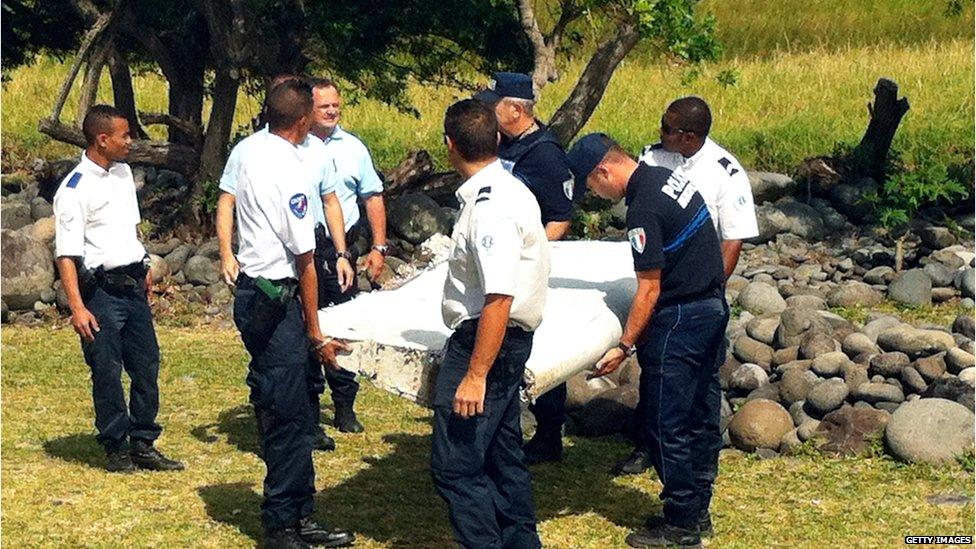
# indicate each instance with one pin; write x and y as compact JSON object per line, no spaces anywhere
{"x":669,"y":228}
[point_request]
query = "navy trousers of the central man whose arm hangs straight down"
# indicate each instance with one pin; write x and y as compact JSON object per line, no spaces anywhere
{"x":477,"y":463}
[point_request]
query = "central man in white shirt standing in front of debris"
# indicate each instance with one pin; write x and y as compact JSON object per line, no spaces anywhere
{"x":498,"y":272}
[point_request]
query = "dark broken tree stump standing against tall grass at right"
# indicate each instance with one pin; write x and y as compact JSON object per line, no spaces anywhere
{"x":871,"y":154}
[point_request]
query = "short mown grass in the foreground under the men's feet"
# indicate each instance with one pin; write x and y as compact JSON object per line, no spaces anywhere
{"x":55,"y":493}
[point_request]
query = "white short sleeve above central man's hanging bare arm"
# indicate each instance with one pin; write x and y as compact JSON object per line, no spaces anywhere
{"x":496,"y":245}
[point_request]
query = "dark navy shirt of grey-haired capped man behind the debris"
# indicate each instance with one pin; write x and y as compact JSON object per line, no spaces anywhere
{"x":540,"y":162}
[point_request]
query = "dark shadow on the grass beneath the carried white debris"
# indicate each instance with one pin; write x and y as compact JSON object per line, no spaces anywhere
{"x":394,"y":501}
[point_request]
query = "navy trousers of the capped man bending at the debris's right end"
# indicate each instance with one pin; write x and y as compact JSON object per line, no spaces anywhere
{"x":680,"y":403}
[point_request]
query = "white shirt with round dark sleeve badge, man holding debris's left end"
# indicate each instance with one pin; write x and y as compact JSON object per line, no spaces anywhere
{"x":272,"y":203}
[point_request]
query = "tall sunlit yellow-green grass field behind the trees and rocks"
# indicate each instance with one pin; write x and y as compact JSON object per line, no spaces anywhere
{"x":804,"y":72}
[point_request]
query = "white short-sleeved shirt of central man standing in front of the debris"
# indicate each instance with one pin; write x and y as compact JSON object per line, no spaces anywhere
{"x":500,"y":247}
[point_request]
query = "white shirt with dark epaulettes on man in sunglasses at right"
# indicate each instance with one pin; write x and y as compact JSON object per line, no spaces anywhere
{"x":720,"y":180}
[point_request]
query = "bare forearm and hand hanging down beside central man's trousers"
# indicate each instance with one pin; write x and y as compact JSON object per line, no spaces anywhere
{"x":469,"y":399}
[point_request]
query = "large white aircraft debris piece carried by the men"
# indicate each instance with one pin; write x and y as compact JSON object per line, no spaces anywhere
{"x":398,"y":335}
